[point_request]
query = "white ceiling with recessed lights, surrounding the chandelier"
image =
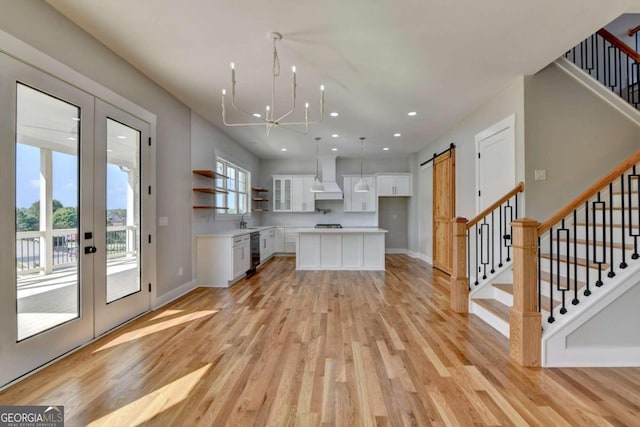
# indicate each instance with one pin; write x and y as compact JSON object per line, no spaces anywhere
{"x":378,"y":59}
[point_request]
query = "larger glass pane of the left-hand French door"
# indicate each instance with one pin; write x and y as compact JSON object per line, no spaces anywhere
{"x":47,"y":182}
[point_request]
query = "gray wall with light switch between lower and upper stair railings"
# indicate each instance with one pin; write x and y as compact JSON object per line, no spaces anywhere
{"x":572,"y":134}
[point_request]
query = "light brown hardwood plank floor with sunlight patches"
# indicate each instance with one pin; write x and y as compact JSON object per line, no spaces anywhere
{"x":321,"y":348}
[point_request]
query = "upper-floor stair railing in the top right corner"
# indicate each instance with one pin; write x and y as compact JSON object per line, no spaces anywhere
{"x":610,"y":61}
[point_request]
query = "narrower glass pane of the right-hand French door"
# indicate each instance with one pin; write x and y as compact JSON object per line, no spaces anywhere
{"x":123,"y":210}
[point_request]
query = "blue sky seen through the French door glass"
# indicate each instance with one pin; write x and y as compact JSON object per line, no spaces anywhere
{"x":65,"y":179}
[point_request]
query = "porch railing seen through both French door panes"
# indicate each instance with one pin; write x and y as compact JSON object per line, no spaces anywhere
{"x":120,"y":241}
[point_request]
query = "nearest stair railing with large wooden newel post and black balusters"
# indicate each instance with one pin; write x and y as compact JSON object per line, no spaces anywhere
{"x":558,"y":263}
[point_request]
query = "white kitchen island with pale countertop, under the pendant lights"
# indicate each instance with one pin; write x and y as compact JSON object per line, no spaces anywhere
{"x":353,"y":248}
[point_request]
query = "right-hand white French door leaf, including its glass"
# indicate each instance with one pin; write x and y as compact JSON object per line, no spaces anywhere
{"x":121,"y":157}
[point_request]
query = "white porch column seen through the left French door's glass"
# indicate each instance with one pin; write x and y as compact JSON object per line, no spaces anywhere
{"x":46,"y":210}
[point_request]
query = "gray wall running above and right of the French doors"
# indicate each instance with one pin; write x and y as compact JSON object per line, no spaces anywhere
{"x":35,"y":23}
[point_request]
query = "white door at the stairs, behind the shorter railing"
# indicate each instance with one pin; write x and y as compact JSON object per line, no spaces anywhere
{"x":496,"y":171}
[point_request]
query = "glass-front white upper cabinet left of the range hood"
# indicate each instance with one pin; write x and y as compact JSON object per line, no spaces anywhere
{"x":292,"y":193}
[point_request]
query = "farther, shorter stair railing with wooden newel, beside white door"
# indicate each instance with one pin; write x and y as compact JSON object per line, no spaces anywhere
{"x":488,"y":252}
